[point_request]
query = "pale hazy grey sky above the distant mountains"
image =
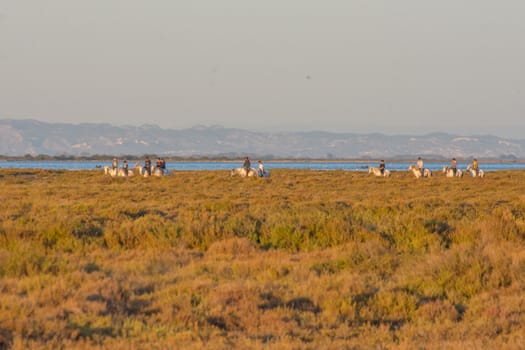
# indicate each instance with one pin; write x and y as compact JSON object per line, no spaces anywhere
{"x":390,"y":66}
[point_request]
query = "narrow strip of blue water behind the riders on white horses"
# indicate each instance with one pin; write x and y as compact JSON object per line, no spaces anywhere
{"x":313,"y":165}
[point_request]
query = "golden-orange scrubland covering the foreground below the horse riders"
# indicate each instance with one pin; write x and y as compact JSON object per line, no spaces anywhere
{"x":303,"y":260}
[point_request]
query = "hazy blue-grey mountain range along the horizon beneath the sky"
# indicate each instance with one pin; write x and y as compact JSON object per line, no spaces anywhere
{"x":21,"y":137}
